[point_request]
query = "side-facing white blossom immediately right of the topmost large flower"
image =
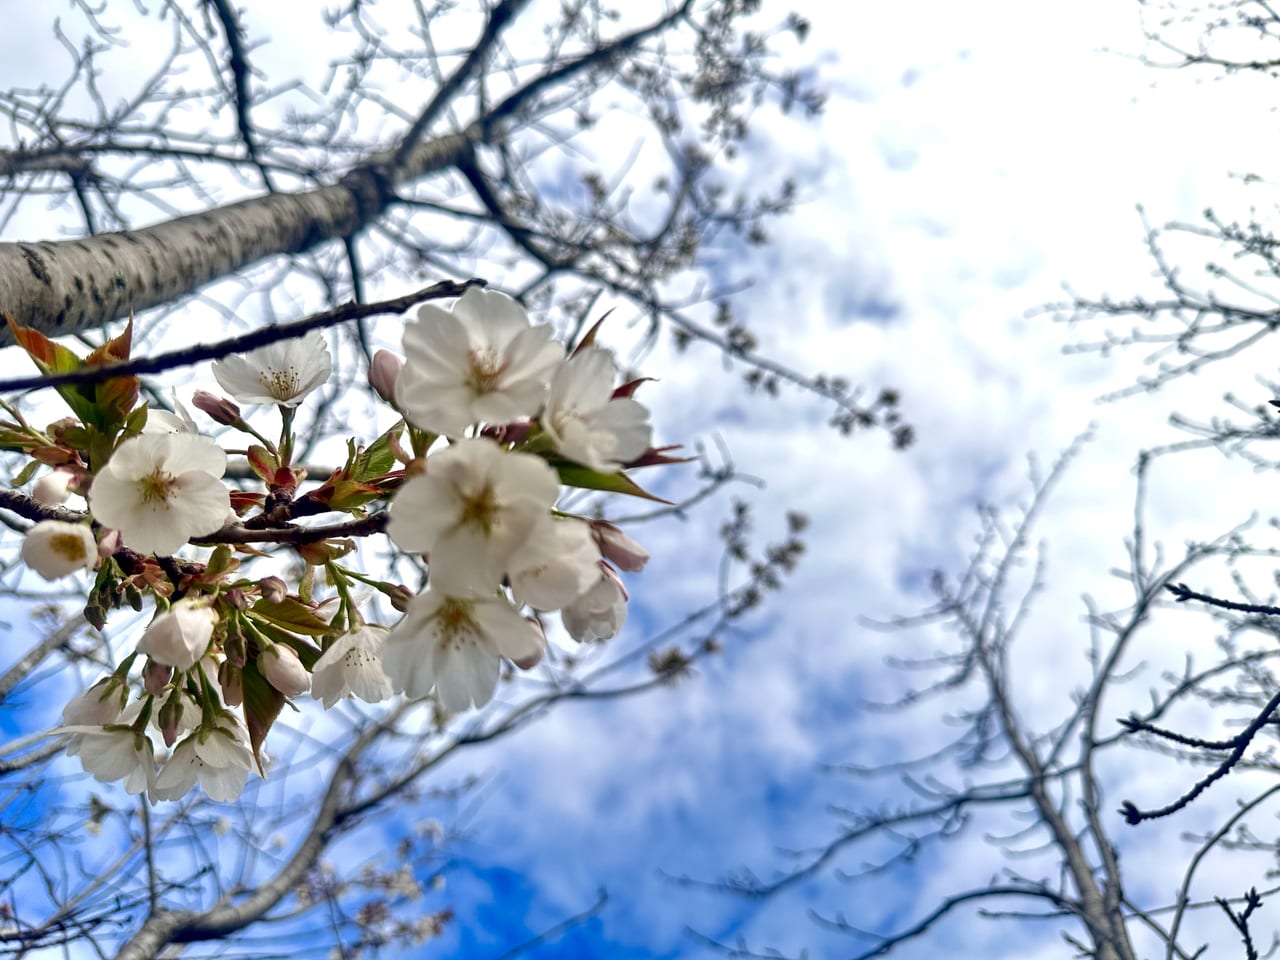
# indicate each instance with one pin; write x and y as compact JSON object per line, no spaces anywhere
{"x":586,"y":423}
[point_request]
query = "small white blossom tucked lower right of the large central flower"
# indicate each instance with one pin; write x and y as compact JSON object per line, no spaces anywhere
{"x":557,"y":564}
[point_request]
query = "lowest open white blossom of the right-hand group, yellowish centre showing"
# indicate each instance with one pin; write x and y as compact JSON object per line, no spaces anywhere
{"x":455,"y":646}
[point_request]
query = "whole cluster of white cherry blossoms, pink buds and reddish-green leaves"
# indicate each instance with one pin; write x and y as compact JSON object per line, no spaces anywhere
{"x":500,"y":417}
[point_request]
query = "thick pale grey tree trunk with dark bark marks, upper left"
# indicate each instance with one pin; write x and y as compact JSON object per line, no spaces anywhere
{"x":63,"y":287}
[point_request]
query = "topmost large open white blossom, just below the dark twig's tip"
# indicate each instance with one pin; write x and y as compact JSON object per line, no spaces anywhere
{"x":482,"y":363}
